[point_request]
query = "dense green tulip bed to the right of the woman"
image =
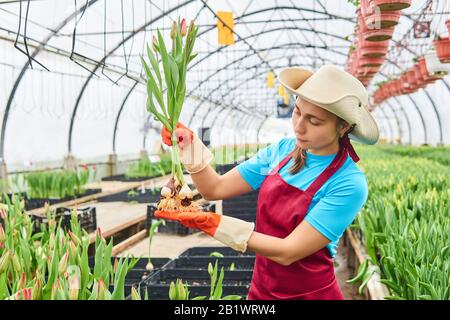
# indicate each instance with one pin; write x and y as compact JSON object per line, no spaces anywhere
{"x":405,"y":224}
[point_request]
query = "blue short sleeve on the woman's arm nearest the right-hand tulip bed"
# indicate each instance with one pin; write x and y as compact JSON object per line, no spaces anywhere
{"x":339,"y":207}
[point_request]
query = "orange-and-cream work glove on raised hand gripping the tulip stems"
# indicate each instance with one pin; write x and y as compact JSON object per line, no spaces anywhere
{"x":194,"y":155}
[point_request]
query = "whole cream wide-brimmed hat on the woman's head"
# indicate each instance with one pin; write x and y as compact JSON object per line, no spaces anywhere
{"x":338,"y":92}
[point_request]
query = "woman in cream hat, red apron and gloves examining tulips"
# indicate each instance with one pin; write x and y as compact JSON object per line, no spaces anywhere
{"x":310,"y":187}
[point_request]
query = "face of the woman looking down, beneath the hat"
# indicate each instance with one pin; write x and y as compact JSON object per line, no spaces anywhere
{"x":314,"y":127}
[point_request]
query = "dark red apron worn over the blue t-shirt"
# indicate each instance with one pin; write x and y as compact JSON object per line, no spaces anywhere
{"x":281,"y":208}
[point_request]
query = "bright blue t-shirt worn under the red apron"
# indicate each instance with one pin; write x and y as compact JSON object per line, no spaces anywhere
{"x":334,"y":206}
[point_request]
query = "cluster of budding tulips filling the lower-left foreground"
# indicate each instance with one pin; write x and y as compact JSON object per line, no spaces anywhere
{"x":53,"y":264}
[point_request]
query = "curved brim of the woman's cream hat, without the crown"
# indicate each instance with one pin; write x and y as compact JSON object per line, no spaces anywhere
{"x":366,"y":130}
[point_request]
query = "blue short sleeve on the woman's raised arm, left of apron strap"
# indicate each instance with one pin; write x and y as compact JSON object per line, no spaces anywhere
{"x":255,"y":169}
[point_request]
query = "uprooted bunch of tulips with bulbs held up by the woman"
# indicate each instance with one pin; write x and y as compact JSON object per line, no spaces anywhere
{"x":171,"y":66}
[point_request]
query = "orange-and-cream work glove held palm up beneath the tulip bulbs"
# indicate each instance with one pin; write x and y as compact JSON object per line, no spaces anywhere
{"x":232,"y":232}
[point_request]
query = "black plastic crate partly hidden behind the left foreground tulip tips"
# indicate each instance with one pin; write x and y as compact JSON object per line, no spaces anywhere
{"x":87,"y":218}
